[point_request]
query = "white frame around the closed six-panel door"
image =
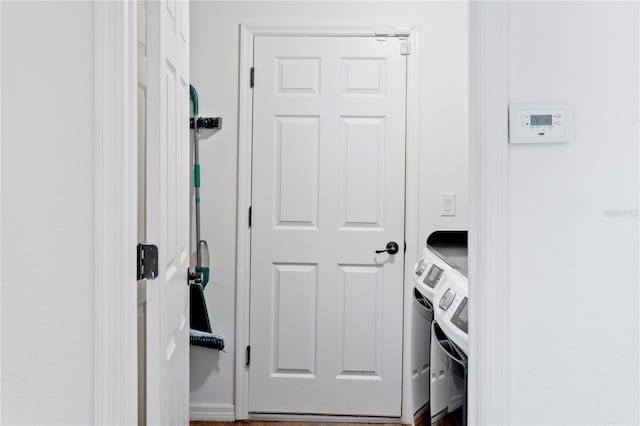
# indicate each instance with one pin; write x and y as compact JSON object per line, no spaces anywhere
{"x":245,"y":130}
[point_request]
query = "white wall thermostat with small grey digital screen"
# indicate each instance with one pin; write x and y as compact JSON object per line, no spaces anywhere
{"x":540,"y":123}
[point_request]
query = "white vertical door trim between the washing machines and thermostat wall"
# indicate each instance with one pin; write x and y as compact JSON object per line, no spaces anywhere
{"x":489,"y":353}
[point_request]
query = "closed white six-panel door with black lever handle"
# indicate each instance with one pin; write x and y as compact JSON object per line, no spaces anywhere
{"x":327,"y":192}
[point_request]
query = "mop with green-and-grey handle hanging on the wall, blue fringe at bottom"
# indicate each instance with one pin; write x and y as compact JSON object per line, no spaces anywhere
{"x":200,"y":333}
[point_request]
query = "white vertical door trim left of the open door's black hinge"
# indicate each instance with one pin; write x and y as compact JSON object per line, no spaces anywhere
{"x":115,"y":213}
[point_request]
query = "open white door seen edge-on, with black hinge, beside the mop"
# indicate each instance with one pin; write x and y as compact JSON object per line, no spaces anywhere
{"x":168,"y":212}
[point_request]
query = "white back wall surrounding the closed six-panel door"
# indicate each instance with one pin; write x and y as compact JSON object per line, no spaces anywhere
{"x":214,"y":72}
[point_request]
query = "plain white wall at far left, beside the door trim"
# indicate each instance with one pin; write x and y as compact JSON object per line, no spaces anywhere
{"x":47,"y":213}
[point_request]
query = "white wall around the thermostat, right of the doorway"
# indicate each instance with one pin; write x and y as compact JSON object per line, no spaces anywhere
{"x":574,"y":268}
